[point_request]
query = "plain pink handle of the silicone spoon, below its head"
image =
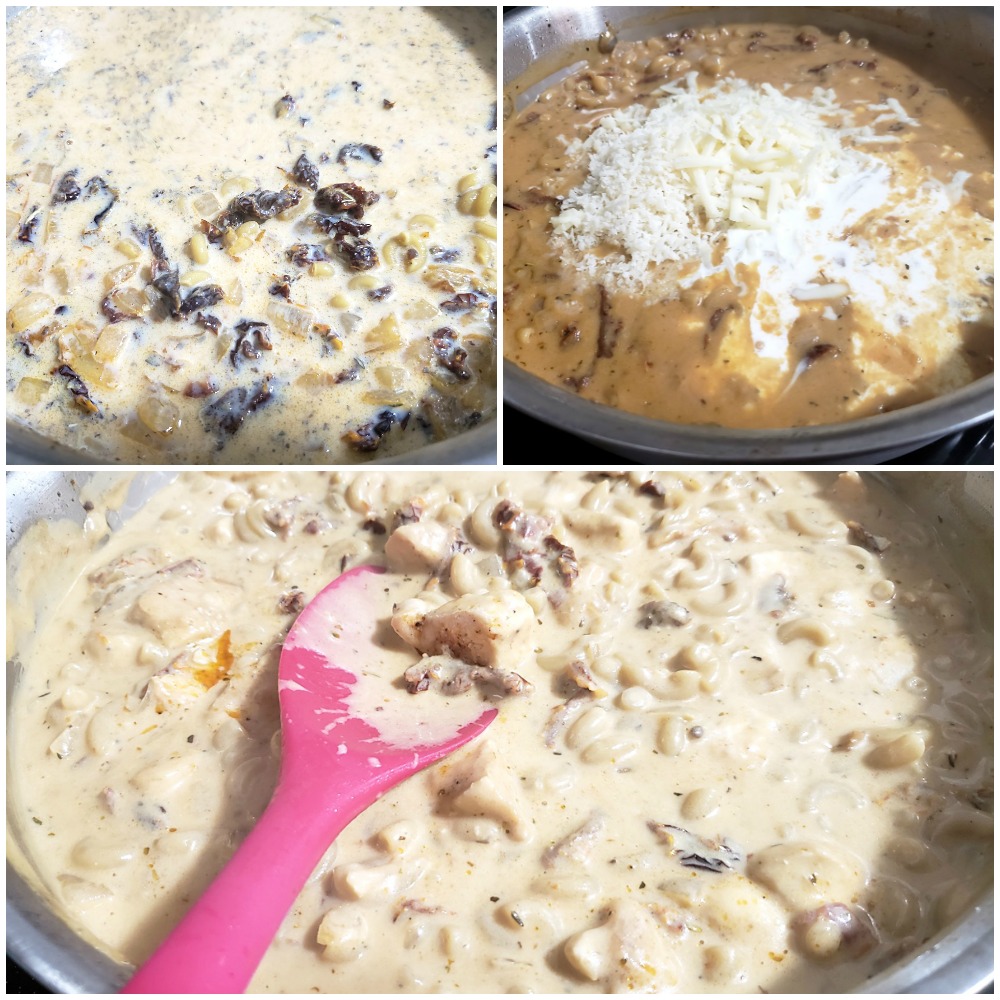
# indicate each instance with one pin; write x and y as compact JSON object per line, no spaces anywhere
{"x":218,"y":945}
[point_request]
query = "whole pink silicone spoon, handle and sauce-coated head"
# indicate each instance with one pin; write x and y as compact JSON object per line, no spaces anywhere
{"x":335,"y":763}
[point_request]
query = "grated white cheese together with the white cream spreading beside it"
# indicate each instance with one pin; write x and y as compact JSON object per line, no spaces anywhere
{"x":736,"y":174}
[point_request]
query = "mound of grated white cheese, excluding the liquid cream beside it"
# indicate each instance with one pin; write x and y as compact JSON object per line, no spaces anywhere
{"x":664,"y":183}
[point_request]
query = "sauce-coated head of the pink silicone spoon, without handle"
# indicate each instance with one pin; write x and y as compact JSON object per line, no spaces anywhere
{"x":336,"y":703}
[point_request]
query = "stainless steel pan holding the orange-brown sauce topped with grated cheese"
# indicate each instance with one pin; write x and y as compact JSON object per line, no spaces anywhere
{"x":540,"y":43}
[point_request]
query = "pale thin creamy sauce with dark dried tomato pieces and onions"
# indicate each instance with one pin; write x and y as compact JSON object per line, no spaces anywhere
{"x":250,"y":234}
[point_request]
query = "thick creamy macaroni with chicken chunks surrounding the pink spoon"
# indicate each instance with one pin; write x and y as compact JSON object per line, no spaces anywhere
{"x":744,"y":738}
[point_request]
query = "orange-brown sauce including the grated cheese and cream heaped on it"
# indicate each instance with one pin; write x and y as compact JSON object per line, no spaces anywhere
{"x":755,"y":225}
